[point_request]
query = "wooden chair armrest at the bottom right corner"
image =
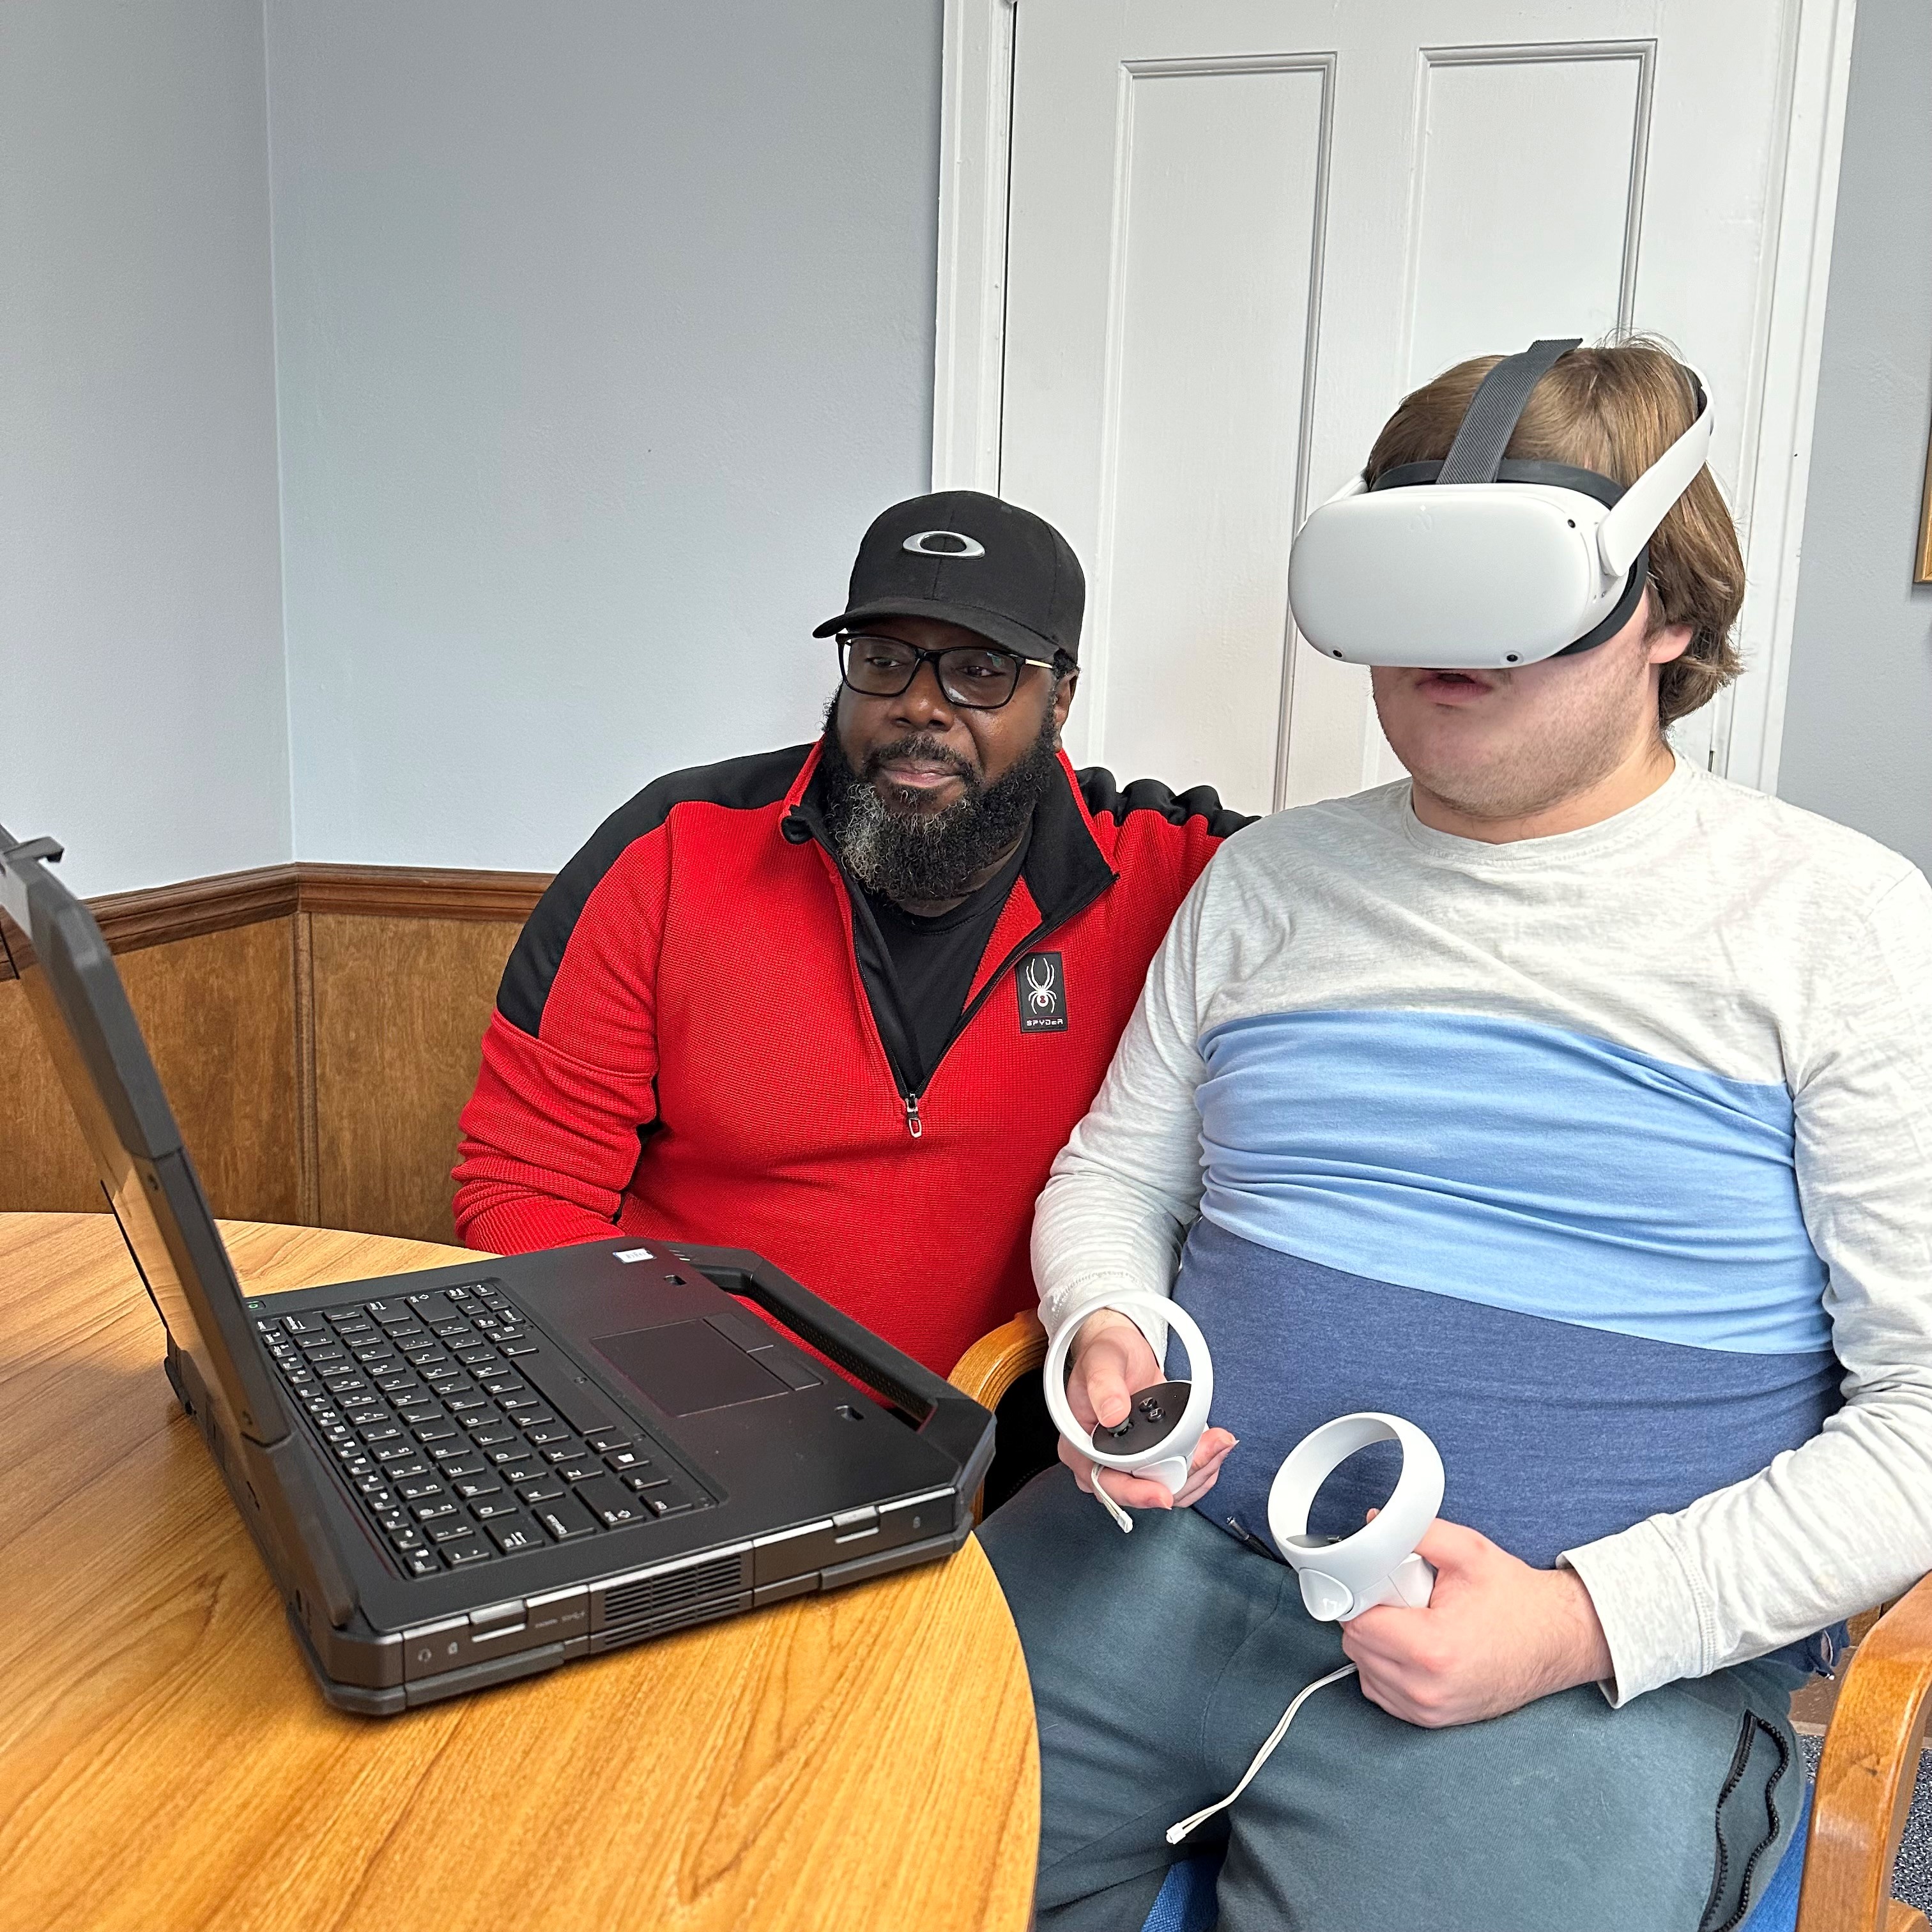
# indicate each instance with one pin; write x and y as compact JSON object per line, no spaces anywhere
{"x":1867,"y":1775}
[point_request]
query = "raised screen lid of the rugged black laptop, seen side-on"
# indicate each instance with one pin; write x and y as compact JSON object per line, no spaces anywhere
{"x":51,"y":942}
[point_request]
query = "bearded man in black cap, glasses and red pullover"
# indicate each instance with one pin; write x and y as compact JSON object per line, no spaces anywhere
{"x":845,"y":1002}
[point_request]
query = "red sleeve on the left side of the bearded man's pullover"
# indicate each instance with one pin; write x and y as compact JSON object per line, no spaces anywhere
{"x":550,"y":1139}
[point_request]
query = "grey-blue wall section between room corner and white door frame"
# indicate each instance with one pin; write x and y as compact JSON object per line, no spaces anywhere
{"x":602,"y":335}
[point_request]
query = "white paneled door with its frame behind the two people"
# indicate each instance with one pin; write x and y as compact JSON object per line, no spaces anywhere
{"x":1237,"y":231}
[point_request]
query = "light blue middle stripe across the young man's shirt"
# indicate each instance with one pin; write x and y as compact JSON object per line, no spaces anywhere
{"x":1516,"y":1166}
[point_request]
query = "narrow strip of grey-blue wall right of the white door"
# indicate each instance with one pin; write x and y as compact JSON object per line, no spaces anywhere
{"x":1860,"y":710}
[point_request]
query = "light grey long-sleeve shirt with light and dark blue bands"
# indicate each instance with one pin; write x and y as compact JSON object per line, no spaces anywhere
{"x":1606,"y":1158}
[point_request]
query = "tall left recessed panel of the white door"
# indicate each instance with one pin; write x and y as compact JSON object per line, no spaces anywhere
{"x":1220,"y":219}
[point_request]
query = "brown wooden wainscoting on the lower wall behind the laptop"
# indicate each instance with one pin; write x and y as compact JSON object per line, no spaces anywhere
{"x":316,"y":1027}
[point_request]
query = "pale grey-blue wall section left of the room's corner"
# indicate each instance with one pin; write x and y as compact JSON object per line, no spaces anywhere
{"x":144,"y":712}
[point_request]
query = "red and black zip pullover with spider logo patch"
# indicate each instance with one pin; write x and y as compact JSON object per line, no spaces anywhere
{"x":693,"y":1044}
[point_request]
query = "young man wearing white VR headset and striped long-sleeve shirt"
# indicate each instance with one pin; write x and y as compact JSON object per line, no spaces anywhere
{"x":1568,"y":1102}
